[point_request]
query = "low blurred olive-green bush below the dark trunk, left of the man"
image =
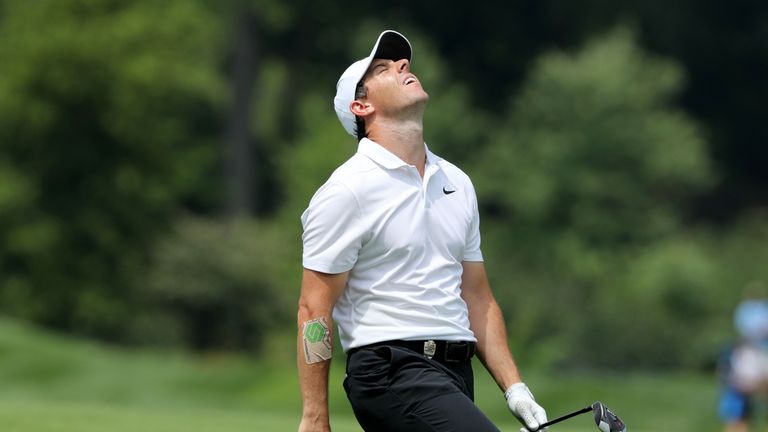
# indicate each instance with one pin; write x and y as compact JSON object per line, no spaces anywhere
{"x":216,"y":285}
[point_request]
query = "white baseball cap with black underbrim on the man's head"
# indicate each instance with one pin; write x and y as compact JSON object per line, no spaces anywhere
{"x":390,"y":45}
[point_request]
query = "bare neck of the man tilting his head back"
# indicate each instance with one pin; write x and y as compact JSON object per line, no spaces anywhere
{"x":404,"y":140}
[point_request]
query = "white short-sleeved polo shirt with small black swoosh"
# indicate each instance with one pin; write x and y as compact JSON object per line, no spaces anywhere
{"x":402,"y":238}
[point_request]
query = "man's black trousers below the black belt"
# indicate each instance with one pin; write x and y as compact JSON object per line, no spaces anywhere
{"x":394,"y":389}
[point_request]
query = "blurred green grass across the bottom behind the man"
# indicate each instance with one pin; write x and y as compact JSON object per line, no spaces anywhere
{"x":54,"y":383}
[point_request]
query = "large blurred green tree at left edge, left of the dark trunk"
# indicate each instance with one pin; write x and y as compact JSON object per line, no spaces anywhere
{"x":108,"y":113}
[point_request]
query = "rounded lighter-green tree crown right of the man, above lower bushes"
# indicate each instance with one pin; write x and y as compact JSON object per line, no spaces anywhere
{"x":595,"y":148}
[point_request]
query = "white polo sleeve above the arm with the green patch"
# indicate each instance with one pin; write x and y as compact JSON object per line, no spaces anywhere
{"x":332,"y":230}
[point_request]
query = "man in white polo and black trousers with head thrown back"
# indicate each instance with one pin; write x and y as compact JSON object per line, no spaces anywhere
{"x":392,"y":251}
